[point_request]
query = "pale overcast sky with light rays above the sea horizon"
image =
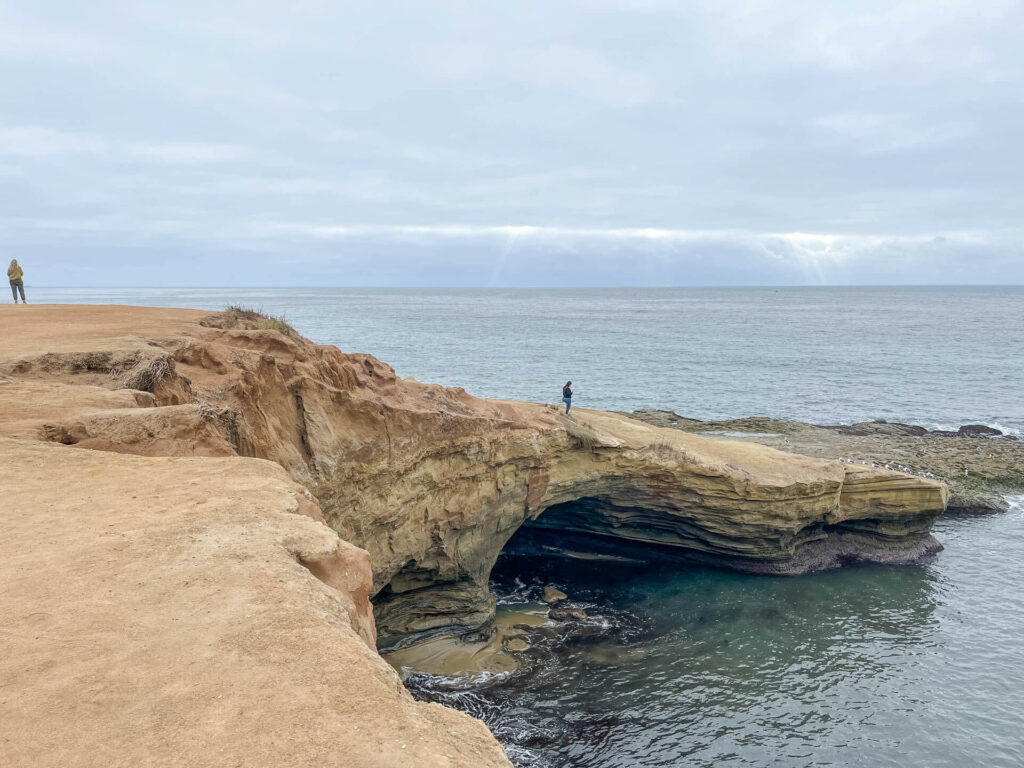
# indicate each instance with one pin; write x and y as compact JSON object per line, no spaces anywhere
{"x":582,"y":143}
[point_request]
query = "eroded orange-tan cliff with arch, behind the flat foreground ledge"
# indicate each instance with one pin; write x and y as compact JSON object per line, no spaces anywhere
{"x":433,"y":482}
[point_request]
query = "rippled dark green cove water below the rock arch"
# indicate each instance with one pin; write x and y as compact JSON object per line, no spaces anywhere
{"x":878,"y":666}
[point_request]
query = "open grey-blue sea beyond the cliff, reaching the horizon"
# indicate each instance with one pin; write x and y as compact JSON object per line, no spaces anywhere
{"x":936,"y":357}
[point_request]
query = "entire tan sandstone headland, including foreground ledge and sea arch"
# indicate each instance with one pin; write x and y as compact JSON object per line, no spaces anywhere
{"x":210,"y":526}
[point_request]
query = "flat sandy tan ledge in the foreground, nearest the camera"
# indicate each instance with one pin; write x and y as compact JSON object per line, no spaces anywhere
{"x":165,"y":612}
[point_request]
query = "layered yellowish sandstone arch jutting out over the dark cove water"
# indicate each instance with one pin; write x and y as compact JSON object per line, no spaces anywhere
{"x":734,"y":505}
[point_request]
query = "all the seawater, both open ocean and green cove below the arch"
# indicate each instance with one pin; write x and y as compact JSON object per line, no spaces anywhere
{"x":913,"y":667}
